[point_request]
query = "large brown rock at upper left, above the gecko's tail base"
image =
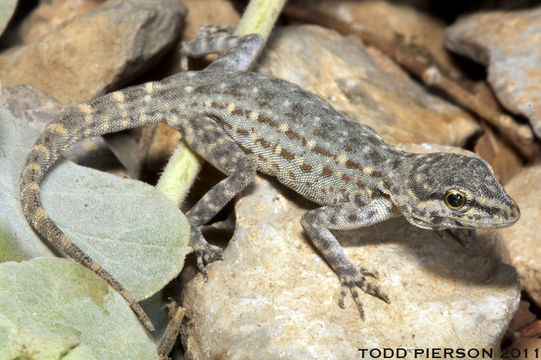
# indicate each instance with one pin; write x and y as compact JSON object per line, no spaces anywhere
{"x":93,"y":53}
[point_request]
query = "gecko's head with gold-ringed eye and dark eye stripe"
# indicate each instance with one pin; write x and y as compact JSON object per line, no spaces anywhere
{"x":443,"y":191}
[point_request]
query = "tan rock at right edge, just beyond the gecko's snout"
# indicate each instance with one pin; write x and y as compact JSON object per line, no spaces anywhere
{"x":523,"y":240}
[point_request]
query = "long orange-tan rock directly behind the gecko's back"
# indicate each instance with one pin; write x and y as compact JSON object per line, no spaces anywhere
{"x":377,"y":92}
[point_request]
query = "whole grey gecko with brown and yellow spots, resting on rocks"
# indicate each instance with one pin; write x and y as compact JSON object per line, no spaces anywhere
{"x":242,"y":122}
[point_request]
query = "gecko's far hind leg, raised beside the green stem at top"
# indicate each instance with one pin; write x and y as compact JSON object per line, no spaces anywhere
{"x":237,"y":53}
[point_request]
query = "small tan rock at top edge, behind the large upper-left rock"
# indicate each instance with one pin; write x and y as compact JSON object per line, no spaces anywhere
{"x":50,"y":14}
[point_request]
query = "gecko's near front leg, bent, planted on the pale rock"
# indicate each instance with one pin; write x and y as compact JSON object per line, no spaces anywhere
{"x":347,"y":216}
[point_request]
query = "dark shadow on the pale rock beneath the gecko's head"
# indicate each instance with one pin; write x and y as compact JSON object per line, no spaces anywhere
{"x":482,"y":263}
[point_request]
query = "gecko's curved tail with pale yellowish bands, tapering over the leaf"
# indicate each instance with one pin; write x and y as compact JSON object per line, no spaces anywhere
{"x":106,"y":114}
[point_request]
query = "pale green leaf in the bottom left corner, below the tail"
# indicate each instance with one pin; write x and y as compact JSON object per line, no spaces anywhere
{"x":53,"y":308}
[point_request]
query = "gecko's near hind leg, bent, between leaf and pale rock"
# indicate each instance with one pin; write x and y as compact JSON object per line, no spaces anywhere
{"x":215,"y":146}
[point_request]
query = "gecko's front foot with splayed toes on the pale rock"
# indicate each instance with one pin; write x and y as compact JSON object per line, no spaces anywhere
{"x":353,"y":277}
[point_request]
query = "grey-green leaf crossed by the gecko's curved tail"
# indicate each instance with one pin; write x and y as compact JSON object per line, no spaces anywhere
{"x":128,"y":227}
